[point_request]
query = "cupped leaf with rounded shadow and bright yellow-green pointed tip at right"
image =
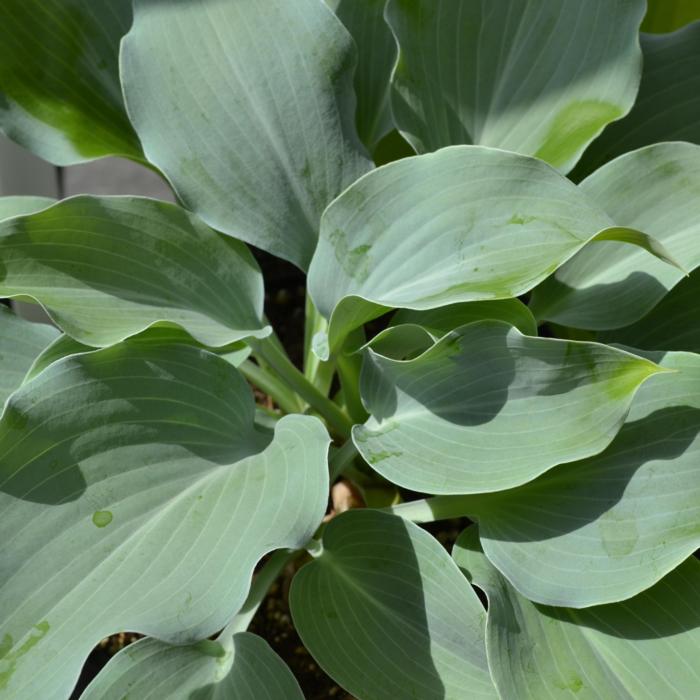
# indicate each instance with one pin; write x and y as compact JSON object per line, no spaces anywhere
{"x":487,"y":408}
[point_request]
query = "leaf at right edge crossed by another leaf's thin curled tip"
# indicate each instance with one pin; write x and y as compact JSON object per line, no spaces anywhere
{"x":656,"y":190}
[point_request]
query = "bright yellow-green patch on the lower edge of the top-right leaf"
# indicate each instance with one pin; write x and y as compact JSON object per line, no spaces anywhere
{"x":573,"y":127}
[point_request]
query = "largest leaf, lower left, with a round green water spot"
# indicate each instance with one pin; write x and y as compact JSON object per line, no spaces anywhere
{"x":137,"y":495}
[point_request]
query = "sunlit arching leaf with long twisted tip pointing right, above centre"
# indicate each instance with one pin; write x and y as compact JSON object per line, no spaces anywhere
{"x":467,"y":223}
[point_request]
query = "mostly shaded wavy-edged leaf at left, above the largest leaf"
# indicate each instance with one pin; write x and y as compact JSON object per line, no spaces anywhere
{"x":108,"y":267}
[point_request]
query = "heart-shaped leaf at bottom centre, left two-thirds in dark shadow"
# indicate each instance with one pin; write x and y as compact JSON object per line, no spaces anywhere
{"x":387,"y":614}
